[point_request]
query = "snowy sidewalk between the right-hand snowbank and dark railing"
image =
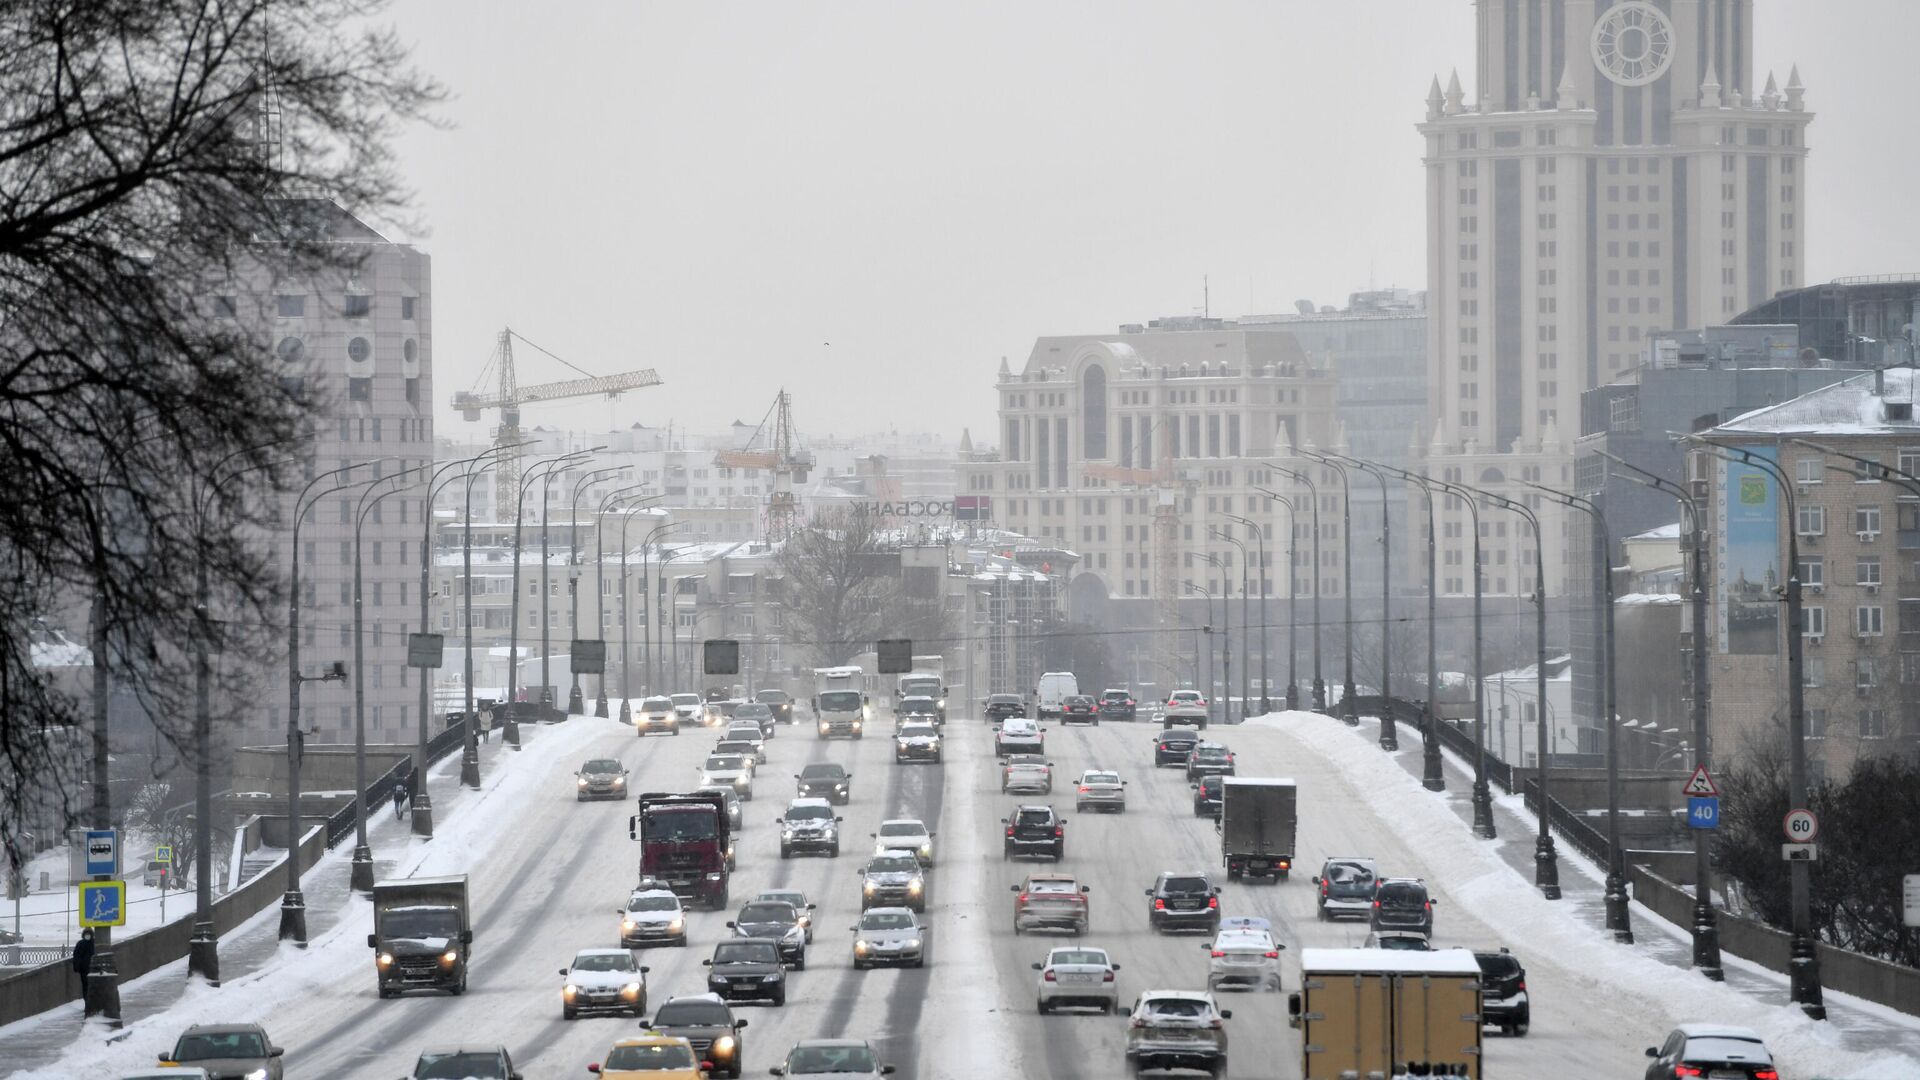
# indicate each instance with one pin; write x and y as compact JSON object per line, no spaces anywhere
{"x":1583,"y":885}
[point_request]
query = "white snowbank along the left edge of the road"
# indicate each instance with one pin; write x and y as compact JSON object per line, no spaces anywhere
{"x":464,"y":835}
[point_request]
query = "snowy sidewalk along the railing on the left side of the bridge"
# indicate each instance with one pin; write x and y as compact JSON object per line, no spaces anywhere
{"x":37,"y":1043}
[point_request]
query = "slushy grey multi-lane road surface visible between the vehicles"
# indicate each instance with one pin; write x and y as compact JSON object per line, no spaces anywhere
{"x":552,"y":883}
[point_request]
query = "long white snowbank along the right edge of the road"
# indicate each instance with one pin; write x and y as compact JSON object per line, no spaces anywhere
{"x":1499,"y":896}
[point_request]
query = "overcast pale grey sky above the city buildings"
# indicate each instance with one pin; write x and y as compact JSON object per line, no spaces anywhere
{"x":721,"y":189}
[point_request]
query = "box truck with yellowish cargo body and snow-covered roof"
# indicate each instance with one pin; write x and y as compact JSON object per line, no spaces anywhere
{"x":1383,"y":1014}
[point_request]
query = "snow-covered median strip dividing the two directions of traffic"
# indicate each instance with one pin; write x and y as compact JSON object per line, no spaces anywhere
{"x":980,"y":1046}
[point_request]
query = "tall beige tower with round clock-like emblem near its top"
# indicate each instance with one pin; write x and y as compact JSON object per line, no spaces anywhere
{"x":1614,"y":174}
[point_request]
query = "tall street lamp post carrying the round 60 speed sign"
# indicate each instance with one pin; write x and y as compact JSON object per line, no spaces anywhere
{"x":1804,"y":964}
